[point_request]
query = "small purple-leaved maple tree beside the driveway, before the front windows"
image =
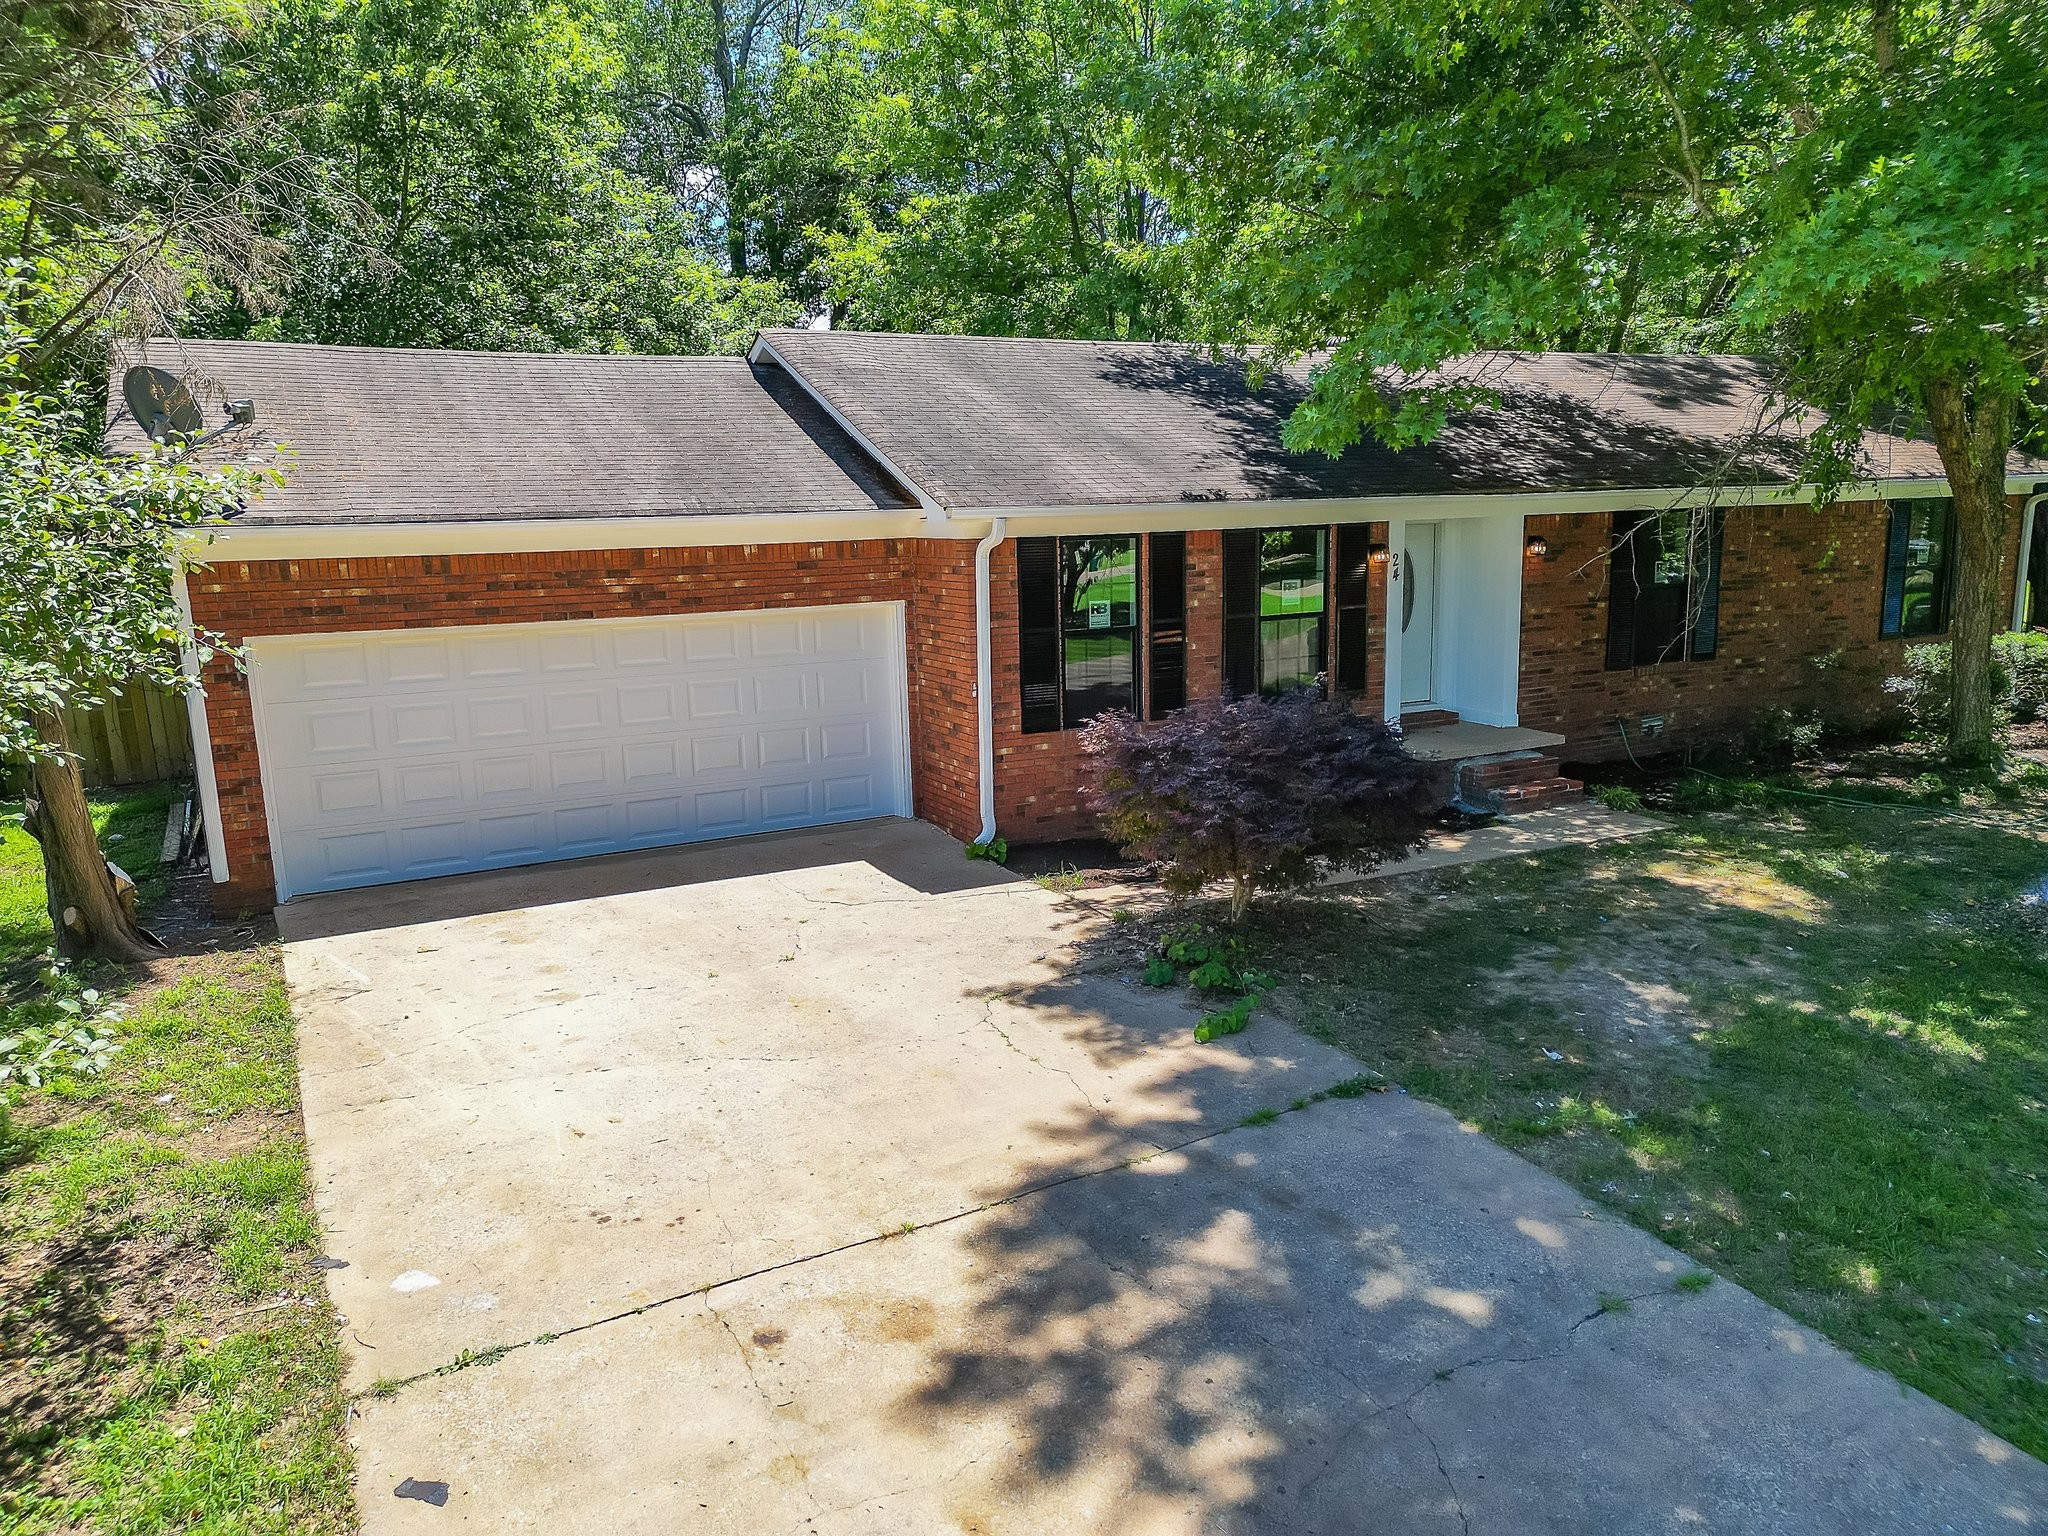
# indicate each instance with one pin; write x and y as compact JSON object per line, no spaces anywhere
{"x":1265,"y":794}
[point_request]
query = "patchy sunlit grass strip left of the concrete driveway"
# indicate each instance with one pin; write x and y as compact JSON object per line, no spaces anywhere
{"x":167,"y":1353}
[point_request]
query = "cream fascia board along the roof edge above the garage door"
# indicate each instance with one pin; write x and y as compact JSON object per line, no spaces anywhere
{"x":218,"y":542}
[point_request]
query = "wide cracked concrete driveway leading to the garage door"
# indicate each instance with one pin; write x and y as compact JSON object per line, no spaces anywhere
{"x":806,"y":1185}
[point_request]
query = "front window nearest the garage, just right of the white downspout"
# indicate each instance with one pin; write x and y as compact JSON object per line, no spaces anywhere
{"x":1078,"y":626}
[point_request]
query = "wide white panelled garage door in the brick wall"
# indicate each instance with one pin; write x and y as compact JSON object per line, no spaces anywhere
{"x":400,"y":755}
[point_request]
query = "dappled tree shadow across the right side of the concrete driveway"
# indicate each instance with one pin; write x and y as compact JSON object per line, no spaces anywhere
{"x":1263,"y":1330}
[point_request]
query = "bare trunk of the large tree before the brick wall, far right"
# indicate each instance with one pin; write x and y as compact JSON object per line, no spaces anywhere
{"x":1975,"y":435}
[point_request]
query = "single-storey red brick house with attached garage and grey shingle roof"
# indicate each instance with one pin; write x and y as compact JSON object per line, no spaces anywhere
{"x":517,"y":607}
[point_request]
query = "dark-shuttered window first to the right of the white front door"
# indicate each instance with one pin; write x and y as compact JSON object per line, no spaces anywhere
{"x":1664,"y":589}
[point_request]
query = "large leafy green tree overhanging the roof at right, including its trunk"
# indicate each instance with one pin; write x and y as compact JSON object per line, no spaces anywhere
{"x":1857,"y":194}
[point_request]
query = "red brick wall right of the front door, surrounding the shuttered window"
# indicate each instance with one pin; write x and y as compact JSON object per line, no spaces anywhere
{"x":1801,"y":597}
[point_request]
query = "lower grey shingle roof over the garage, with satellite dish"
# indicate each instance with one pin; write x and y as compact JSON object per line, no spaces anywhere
{"x":386,"y":435}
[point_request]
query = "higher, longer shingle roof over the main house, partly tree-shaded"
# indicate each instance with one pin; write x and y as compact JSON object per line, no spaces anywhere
{"x":988,"y":423}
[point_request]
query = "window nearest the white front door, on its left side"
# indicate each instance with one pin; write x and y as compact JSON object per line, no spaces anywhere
{"x":1275,"y":601}
